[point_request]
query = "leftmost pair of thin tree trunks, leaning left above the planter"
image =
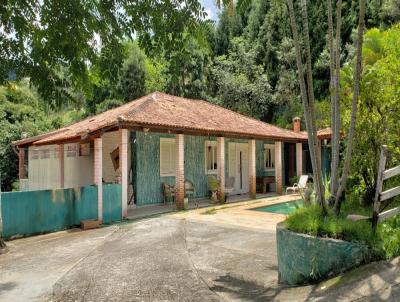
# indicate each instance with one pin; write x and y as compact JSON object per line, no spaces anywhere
{"x":308,"y":112}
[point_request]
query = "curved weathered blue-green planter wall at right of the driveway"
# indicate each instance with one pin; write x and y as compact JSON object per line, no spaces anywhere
{"x":306,"y":259}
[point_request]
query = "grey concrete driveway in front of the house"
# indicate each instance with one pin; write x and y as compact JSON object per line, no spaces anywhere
{"x":226,"y":255}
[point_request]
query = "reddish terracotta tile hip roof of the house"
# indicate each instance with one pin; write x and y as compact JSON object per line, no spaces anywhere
{"x":163,"y":111}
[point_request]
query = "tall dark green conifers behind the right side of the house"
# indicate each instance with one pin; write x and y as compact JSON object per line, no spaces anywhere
{"x":264,"y":29}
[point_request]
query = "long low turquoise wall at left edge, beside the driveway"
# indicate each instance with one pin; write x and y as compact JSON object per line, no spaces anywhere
{"x":34,"y":212}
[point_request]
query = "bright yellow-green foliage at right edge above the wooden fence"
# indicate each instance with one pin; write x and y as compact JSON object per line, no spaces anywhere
{"x":379,"y":110}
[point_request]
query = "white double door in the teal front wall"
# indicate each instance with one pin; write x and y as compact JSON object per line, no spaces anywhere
{"x":239,"y":167}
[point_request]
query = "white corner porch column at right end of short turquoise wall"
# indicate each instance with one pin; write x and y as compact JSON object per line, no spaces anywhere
{"x":123,"y":167}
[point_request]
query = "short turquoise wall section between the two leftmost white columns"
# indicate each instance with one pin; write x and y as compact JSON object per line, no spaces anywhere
{"x":112,"y":196}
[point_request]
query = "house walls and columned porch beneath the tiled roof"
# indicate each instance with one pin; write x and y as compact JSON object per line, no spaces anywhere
{"x":142,"y":161}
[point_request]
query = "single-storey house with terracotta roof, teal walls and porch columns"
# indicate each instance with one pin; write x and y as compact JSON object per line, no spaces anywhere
{"x":158,"y":139}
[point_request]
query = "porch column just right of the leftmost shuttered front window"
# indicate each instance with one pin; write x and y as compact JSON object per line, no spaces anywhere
{"x":180,"y":171}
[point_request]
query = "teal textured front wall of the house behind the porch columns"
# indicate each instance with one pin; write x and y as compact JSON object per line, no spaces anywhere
{"x":148,"y":181}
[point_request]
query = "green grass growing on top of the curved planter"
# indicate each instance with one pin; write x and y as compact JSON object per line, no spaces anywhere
{"x":385,"y":243}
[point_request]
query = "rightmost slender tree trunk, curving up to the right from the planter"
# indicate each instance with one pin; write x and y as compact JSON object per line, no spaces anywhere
{"x":356,"y":90}
